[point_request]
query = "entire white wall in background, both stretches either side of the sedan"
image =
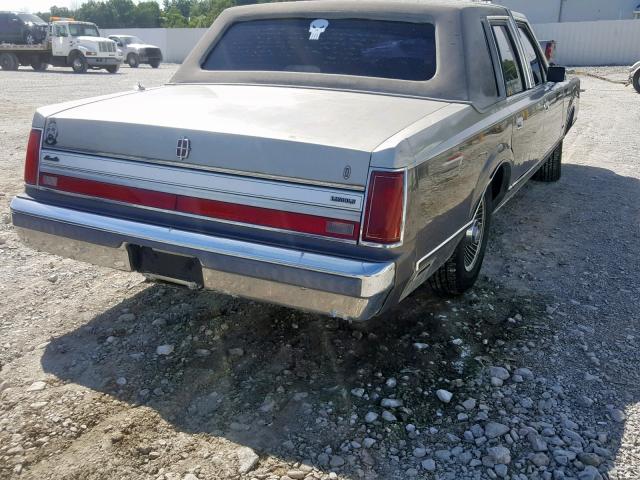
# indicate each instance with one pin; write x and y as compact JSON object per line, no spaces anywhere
{"x":612,"y":42}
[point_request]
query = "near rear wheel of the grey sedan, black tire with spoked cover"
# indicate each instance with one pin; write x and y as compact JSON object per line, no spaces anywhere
{"x":461,"y":271}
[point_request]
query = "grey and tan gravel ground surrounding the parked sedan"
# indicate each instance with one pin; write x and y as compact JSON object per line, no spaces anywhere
{"x":534,"y":374}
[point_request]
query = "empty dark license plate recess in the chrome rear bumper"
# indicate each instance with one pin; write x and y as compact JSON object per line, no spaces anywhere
{"x":166,"y":266}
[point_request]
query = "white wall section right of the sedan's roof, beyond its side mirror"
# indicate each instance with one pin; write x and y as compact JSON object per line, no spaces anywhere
{"x":614,"y":42}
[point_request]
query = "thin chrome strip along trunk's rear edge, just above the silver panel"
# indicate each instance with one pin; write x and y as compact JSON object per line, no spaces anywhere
{"x":237,"y":173}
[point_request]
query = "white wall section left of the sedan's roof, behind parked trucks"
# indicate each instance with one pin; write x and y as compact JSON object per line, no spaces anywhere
{"x":175,"y":43}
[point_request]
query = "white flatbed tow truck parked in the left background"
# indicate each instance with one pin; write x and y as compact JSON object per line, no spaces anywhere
{"x":69,"y":43}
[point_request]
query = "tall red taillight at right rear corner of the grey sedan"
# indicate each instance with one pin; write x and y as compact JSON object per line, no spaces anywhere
{"x":385,"y":208}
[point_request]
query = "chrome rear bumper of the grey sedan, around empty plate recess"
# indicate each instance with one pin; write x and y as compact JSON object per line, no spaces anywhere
{"x":344,"y":288}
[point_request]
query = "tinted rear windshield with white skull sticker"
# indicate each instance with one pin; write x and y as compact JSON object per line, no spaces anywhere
{"x":366,"y":48}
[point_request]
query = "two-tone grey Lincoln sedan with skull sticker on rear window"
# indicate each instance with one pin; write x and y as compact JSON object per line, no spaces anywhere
{"x":330,"y":156}
